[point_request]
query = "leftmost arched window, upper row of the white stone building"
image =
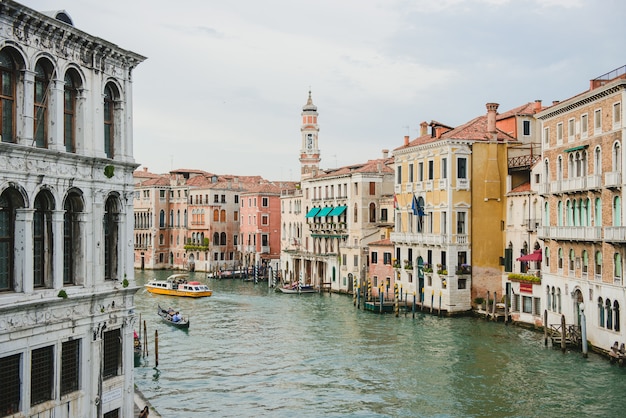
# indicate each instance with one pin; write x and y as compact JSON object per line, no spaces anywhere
{"x":8,"y":75}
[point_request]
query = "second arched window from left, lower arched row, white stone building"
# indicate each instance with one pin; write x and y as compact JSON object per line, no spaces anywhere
{"x":42,"y":240}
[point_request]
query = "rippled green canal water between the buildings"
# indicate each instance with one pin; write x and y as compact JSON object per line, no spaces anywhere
{"x":250,"y":351}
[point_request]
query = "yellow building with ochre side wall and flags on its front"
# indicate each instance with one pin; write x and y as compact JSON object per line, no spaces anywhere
{"x":450,"y":187}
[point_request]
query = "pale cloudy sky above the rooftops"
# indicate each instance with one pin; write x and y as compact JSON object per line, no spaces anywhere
{"x":224,"y":82}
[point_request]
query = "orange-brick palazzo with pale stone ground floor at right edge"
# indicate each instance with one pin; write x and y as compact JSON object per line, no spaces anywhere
{"x":582,"y":178}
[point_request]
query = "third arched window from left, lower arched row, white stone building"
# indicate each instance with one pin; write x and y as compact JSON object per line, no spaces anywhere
{"x":72,"y":241}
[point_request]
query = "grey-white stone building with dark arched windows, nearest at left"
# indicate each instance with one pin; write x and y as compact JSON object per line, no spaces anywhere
{"x":66,"y":210}
